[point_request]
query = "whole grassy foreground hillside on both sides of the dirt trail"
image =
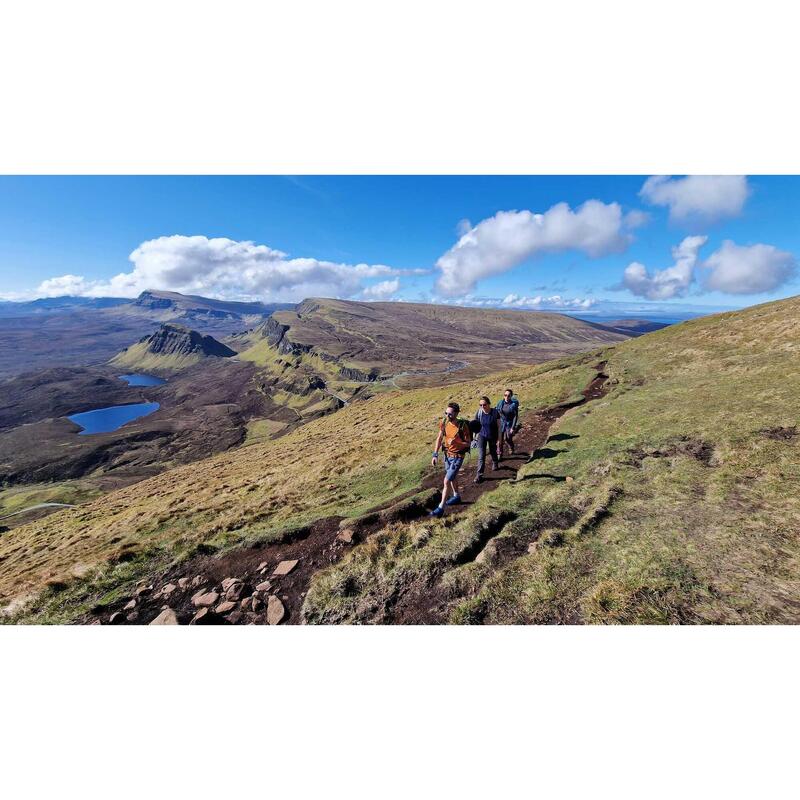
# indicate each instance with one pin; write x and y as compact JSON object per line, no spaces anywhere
{"x":671,"y":499}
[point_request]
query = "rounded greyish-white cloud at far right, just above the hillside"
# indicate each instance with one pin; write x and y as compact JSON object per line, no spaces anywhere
{"x":750,"y":269}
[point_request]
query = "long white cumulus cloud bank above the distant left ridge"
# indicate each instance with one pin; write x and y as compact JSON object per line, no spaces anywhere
{"x":223,"y":268}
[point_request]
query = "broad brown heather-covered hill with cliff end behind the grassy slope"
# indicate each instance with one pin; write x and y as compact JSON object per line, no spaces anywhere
{"x":410,"y":344}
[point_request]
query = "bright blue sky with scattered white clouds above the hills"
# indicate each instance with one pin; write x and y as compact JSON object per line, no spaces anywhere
{"x":400,"y":237}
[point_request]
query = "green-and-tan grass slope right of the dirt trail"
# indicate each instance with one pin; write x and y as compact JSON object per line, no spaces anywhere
{"x":683,"y":504}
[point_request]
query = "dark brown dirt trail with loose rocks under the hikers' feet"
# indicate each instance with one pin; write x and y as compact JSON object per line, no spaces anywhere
{"x":325,"y":541}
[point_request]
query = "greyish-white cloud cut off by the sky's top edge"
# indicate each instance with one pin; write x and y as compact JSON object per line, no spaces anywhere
{"x":697,"y":197}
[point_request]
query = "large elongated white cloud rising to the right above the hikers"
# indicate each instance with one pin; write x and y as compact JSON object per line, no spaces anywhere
{"x":499,"y":243}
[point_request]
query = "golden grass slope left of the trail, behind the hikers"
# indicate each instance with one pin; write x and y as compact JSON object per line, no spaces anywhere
{"x":344,"y":463}
